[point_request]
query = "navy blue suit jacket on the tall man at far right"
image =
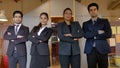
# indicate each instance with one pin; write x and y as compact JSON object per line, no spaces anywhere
{"x":100,"y":41}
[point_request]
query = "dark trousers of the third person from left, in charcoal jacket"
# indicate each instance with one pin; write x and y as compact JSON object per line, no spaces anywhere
{"x":73,"y":60}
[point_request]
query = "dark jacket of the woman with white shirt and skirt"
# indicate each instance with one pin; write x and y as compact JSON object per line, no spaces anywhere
{"x":42,"y":47}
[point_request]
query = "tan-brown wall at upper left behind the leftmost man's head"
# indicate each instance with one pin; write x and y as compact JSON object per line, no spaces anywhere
{"x":24,"y":5}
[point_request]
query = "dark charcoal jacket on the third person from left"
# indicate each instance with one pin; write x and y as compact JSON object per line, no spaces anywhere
{"x":67,"y":44}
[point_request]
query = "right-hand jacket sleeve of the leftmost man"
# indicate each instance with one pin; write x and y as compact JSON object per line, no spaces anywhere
{"x":25,"y":37}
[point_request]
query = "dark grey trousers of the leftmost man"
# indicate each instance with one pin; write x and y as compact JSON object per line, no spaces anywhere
{"x":13,"y":61}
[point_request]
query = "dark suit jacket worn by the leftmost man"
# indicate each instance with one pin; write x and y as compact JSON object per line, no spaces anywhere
{"x":19,"y":43}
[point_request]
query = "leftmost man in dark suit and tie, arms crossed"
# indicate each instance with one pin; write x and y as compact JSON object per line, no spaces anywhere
{"x":17,"y":36}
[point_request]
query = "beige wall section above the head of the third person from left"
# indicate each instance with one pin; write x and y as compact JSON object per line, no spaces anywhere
{"x":57,"y":6}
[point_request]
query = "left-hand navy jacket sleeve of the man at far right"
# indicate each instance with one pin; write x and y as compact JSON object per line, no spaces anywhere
{"x":87,"y":33}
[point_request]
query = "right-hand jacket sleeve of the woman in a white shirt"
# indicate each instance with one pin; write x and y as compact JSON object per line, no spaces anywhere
{"x":46,"y":36}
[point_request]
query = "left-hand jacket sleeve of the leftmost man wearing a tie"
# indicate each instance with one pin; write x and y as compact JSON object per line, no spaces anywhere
{"x":9,"y":37}
